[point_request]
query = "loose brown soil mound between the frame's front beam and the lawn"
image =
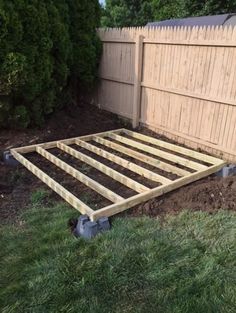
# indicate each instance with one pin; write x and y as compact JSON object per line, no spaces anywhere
{"x":208,"y":194}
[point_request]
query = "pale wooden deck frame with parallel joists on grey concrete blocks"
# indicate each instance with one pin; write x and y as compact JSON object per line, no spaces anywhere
{"x":118,"y":140}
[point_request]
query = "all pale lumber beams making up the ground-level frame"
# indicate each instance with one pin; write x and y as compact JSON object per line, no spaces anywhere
{"x":120,"y":203}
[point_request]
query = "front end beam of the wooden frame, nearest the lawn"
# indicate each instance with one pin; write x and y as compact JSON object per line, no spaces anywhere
{"x":158,"y":191}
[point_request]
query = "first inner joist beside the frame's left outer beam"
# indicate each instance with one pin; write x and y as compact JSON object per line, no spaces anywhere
{"x":102,"y":190}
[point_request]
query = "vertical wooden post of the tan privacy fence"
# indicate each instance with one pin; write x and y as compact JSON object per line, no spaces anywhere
{"x":137,"y":80}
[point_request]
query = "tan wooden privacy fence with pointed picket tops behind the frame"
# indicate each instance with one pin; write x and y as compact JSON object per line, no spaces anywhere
{"x":180,"y":82}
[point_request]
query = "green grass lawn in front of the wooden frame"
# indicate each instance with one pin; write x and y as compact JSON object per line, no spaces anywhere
{"x":184,"y":264}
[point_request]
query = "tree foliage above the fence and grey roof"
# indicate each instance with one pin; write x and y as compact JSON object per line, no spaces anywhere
{"x":122,"y":13}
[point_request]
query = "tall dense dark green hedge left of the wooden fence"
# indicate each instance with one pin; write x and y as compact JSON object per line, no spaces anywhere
{"x":47,"y":48}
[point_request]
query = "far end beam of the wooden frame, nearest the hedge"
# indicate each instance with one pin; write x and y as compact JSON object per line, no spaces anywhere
{"x":53,"y":144}
